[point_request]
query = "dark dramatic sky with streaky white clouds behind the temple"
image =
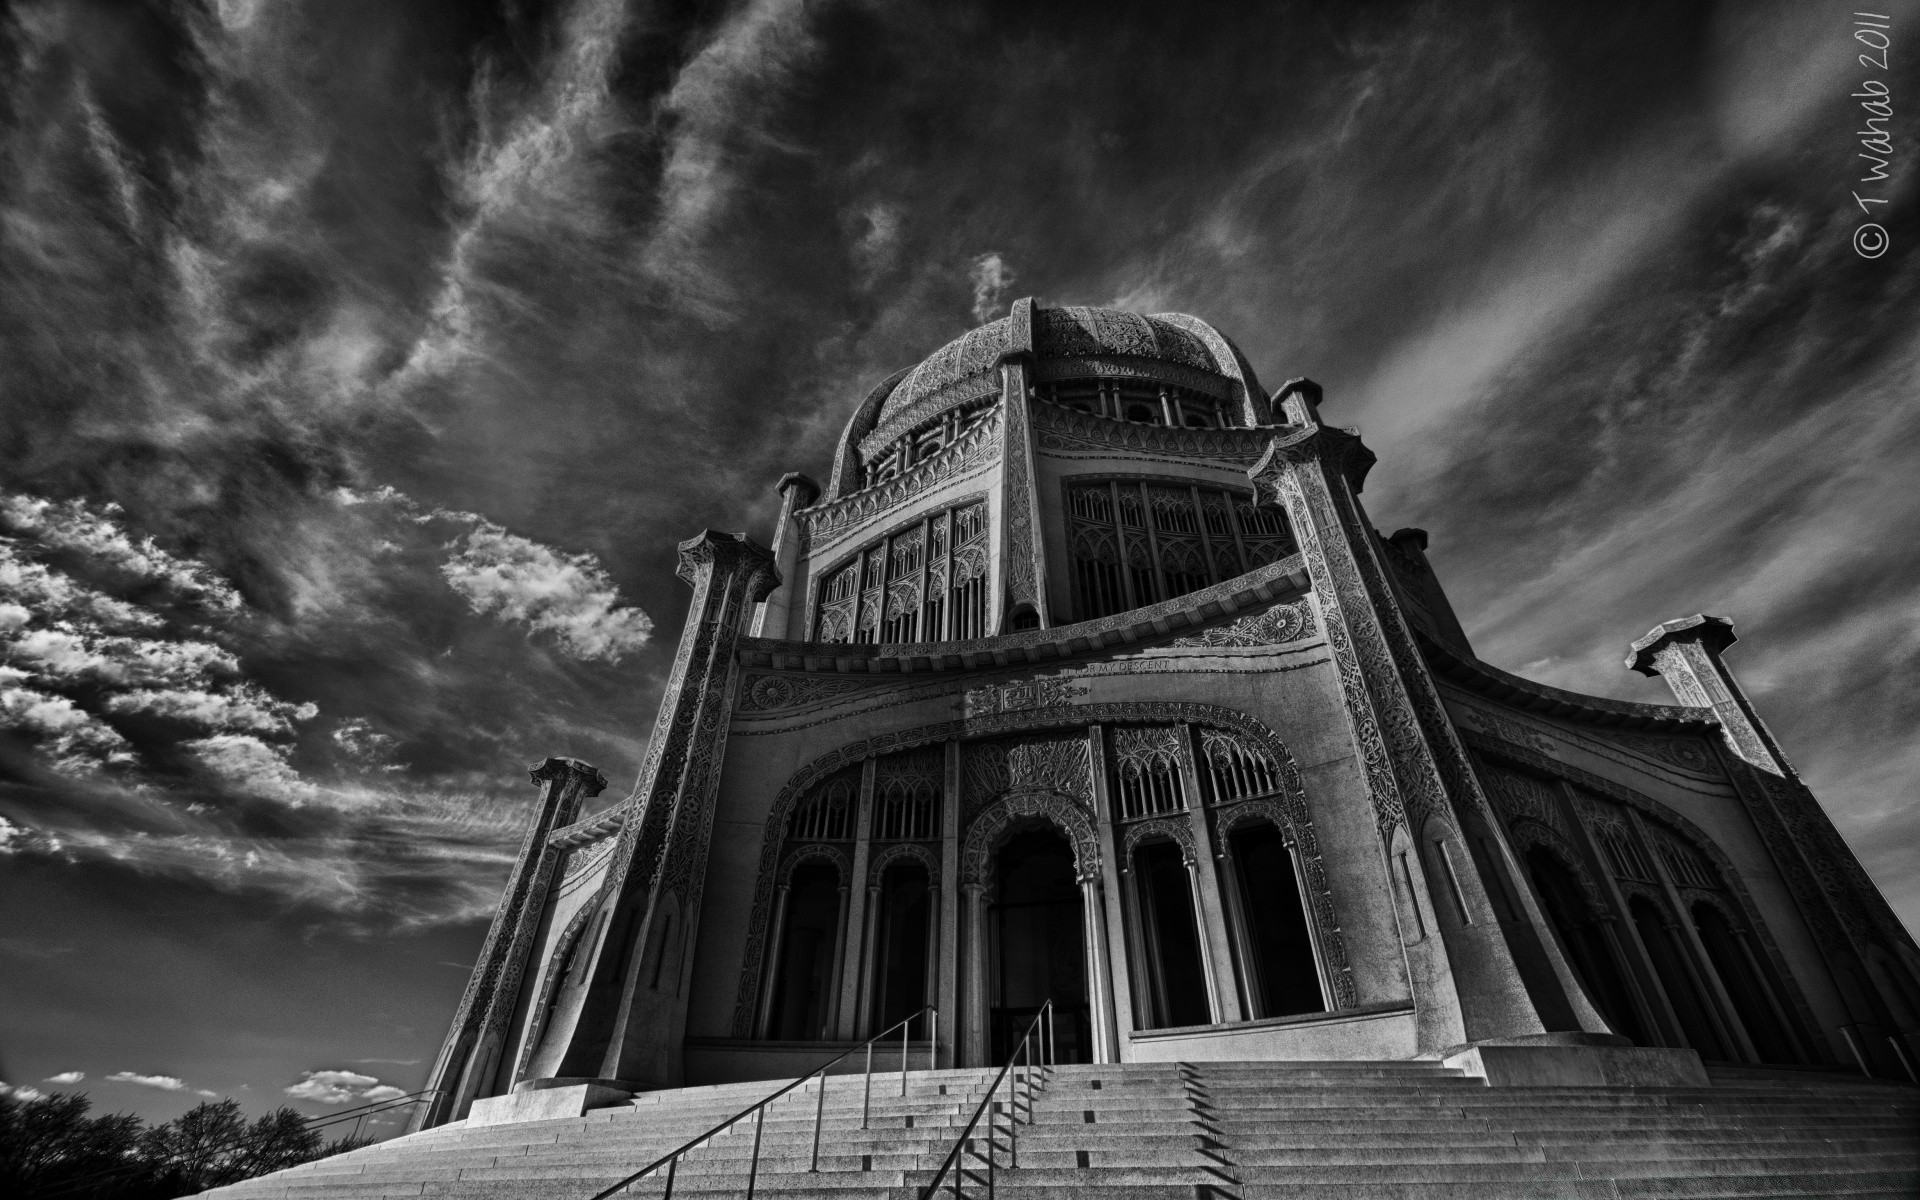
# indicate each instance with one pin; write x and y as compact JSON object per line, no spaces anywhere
{"x":362,"y":366}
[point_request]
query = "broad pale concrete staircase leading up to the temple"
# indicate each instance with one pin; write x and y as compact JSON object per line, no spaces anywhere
{"x":1249,"y":1130}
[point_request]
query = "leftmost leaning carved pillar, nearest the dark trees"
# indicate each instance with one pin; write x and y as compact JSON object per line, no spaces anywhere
{"x":468,"y":1063}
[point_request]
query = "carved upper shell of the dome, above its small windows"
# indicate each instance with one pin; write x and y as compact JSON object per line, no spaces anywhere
{"x":1067,"y":333}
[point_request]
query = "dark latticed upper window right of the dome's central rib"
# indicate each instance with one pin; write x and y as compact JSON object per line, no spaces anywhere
{"x":1138,"y":544}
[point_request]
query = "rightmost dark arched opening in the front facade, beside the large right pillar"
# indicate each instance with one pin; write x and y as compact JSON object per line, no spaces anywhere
{"x":1284,"y":971}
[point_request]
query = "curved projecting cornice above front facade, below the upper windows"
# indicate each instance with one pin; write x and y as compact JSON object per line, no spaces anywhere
{"x":1257,"y":588}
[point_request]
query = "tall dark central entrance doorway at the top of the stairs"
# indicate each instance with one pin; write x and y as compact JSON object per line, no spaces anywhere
{"x":1036,"y":946}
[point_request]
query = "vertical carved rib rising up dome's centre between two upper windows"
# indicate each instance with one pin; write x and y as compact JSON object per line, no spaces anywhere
{"x":1022,"y":554}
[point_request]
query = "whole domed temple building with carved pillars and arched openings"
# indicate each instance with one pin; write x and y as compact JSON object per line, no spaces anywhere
{"x":1086,"y":677}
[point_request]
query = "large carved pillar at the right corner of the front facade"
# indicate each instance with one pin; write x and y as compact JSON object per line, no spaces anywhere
{"x":1470,"y":984}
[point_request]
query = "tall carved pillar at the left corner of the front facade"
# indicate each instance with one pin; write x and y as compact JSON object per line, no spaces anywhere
{"x":621,"y":1030}
